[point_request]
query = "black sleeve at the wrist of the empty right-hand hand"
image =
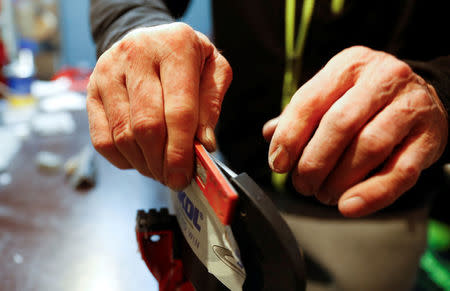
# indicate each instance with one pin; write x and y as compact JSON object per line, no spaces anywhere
{"x":437,"y":73}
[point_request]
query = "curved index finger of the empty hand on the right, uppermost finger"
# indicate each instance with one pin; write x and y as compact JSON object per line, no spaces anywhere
{"x":302,"y":115}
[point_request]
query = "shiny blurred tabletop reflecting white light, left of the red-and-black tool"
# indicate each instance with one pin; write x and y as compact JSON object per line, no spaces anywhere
{"x":53,"y":237}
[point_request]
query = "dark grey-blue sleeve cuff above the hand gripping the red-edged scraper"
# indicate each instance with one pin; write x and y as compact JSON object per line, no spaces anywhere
{"x":111,"y":19}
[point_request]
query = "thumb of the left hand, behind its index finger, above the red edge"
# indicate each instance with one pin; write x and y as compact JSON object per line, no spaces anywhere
{"x":215,"y":80}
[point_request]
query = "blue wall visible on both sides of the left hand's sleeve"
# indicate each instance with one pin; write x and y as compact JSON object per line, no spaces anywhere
{"x":77,"y":46}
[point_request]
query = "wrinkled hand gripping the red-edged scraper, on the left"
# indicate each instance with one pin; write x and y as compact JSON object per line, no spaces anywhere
{"x":151,"y":94}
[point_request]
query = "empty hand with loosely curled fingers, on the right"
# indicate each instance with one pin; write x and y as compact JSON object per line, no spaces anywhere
{"x":359,"y":133}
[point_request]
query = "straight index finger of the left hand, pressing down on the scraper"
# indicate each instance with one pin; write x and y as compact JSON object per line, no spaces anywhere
{"x":180,"y":79}
